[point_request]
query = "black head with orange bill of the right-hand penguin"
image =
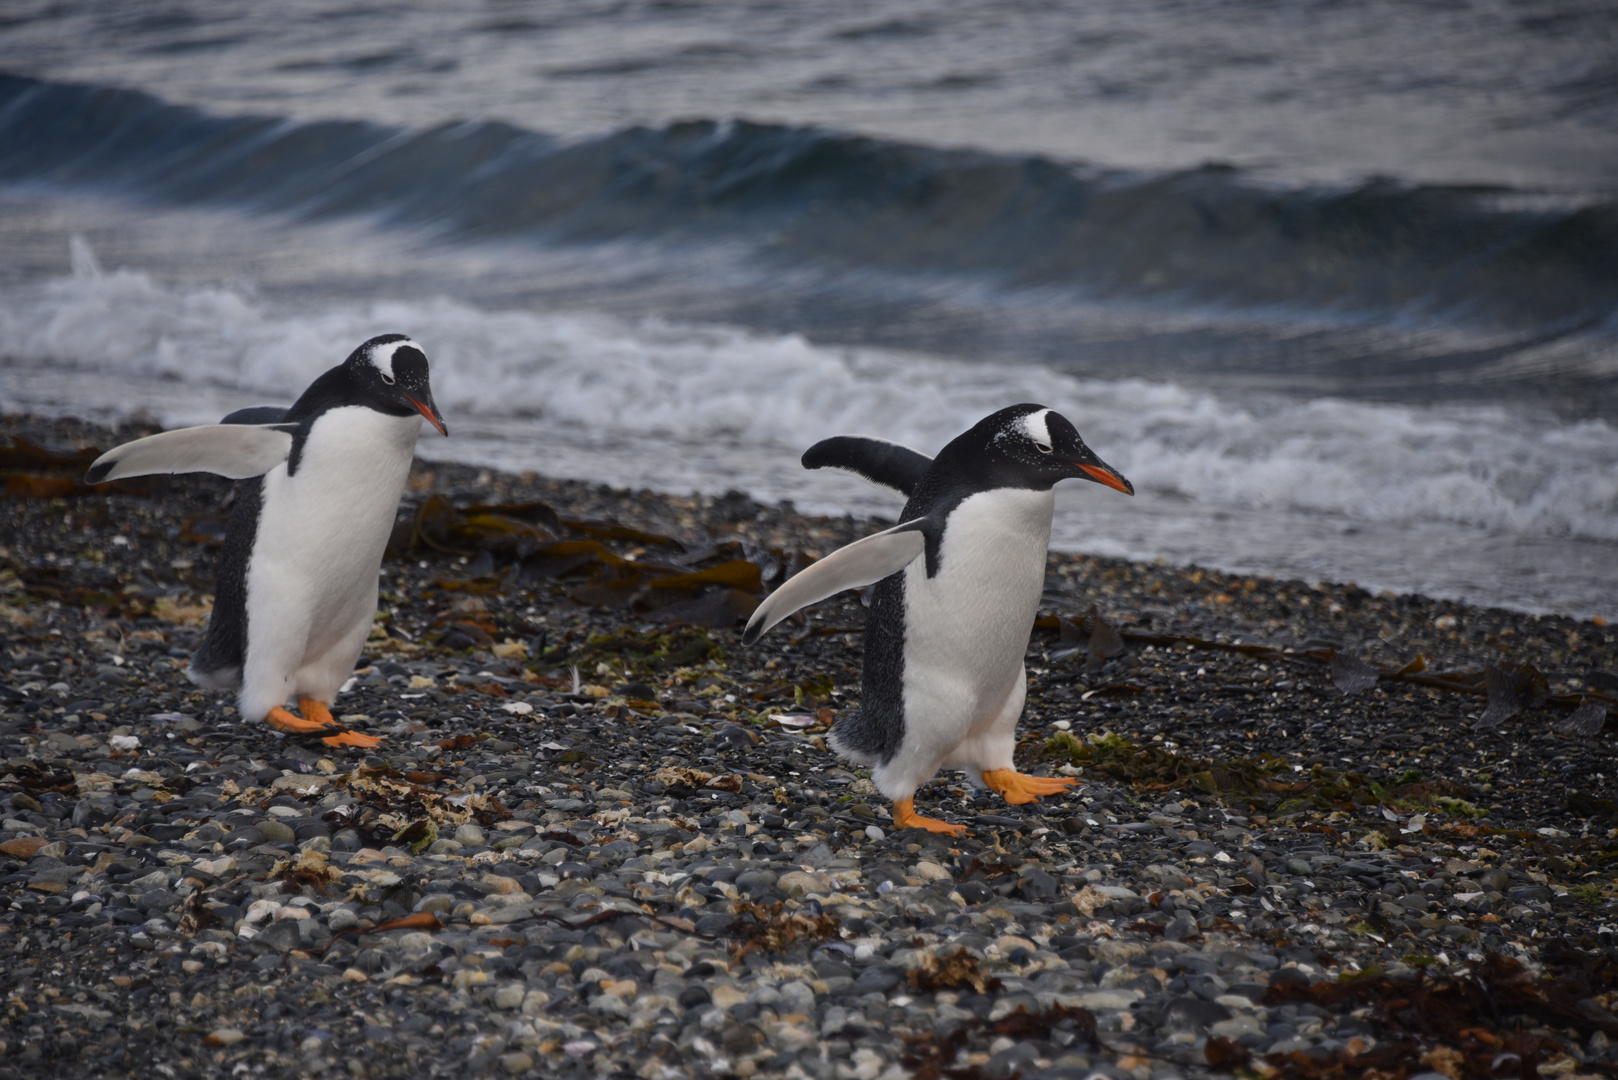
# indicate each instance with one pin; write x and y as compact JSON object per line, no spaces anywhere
{"x":1030,"y":446}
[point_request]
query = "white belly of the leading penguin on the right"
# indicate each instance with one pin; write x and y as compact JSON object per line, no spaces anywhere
{"x":967,"y":629}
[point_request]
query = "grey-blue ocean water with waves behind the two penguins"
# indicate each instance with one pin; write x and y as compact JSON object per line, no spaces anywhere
{"x":1336,"y":286}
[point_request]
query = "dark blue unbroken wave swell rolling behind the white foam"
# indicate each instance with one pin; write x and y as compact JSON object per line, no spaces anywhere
{"x":808,"y":197}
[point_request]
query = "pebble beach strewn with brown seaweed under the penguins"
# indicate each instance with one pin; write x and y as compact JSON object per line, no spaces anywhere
{"x":603,"y":838}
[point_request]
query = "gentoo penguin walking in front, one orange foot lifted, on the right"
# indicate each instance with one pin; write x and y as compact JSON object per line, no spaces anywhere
{"x":957,"y":589}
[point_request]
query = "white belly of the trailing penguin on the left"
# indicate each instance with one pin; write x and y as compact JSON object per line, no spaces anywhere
{"x":313,"y":572}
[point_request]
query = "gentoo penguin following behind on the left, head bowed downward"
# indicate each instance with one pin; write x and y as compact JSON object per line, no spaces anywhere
{"x":299,"y":577}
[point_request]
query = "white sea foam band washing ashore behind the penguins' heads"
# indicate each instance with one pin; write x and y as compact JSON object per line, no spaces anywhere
{"x":661,"y":386}
